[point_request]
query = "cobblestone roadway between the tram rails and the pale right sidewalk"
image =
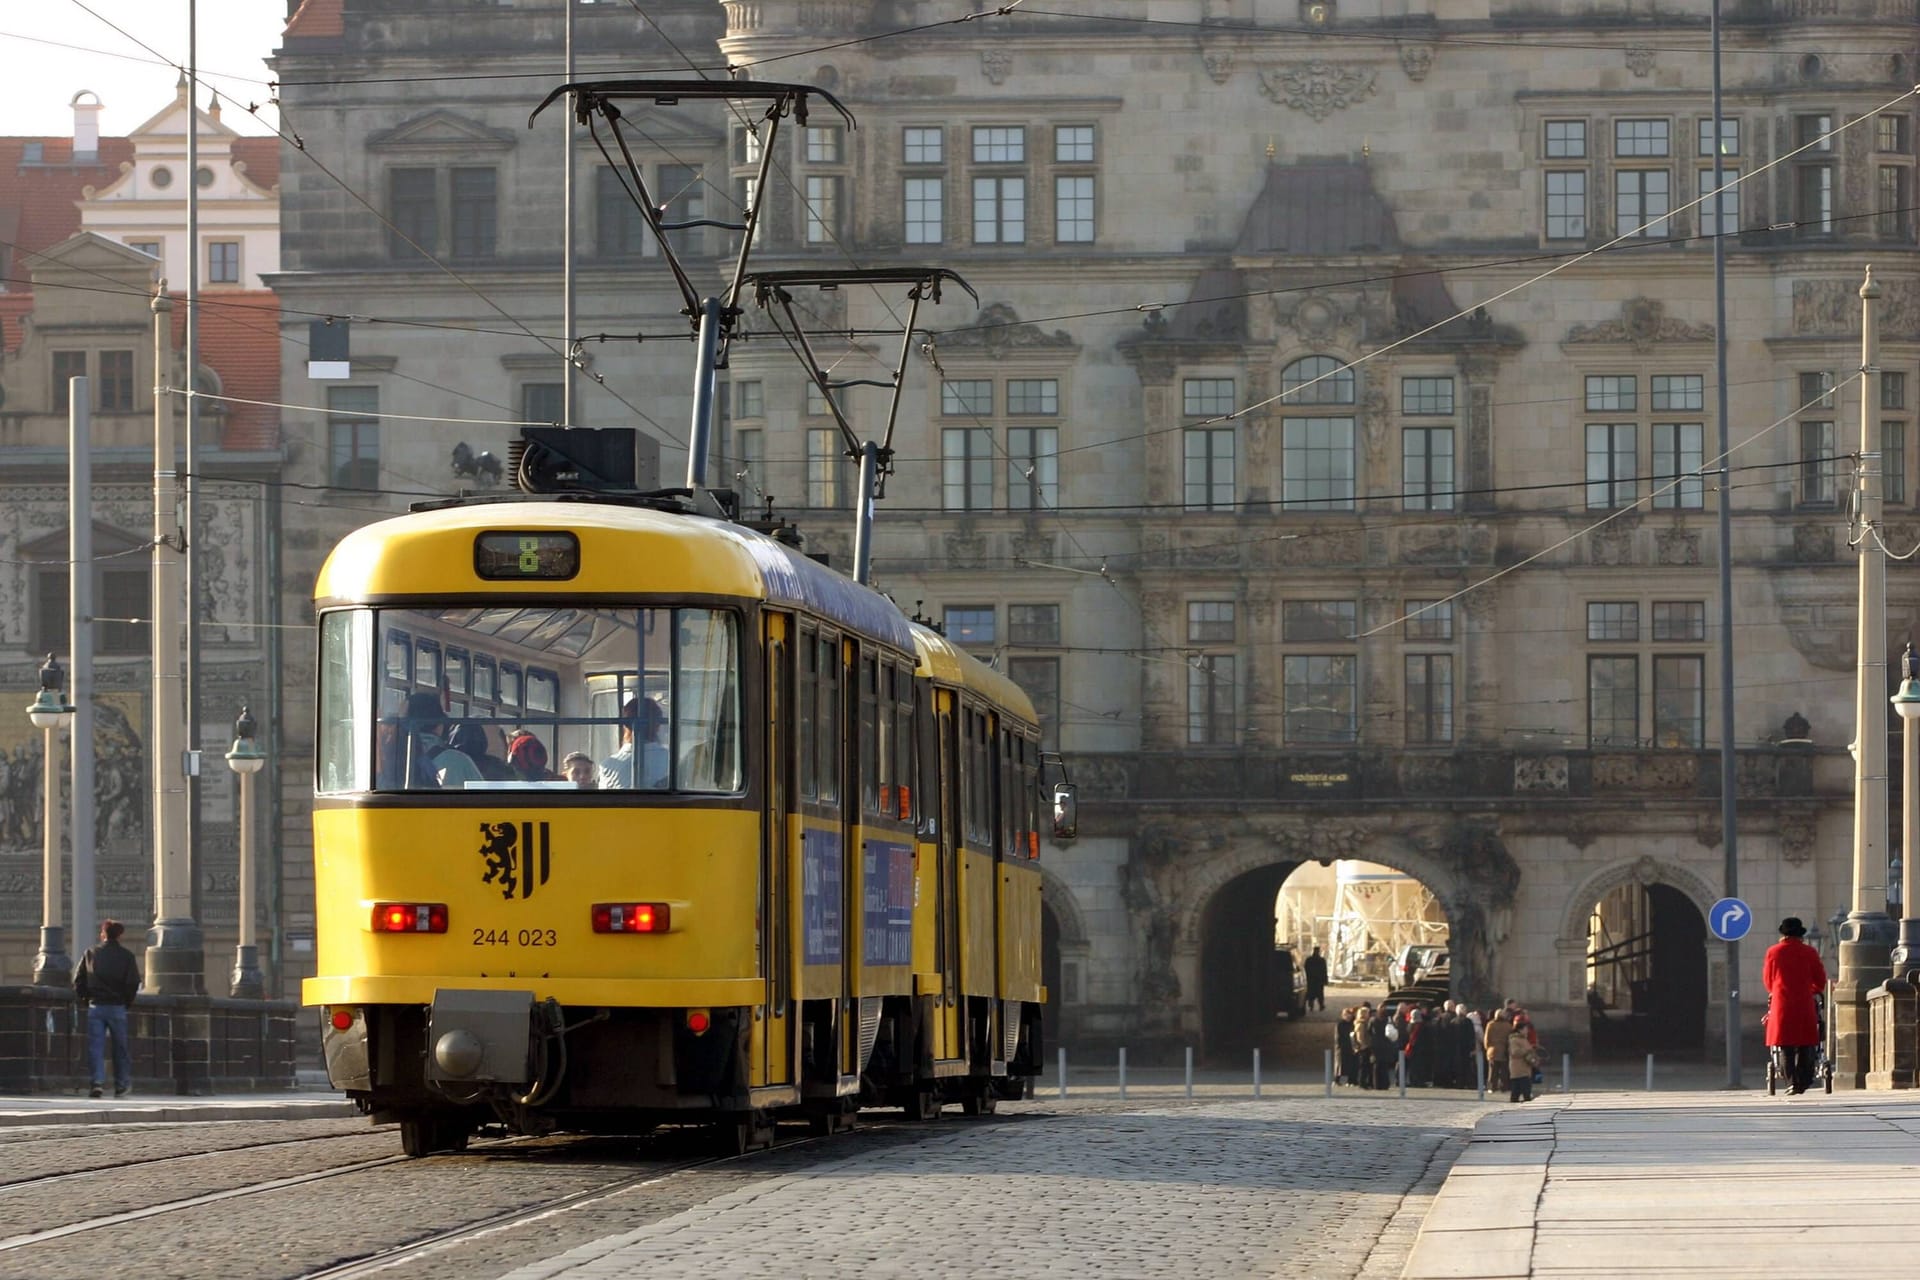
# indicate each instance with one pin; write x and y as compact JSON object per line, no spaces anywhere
{"x":1297,"y":1187}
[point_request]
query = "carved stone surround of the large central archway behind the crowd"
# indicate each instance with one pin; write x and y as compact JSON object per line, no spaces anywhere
{"x":1182,"y":880}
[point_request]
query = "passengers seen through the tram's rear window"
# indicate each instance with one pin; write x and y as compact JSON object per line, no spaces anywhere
{"x":443,"y":753}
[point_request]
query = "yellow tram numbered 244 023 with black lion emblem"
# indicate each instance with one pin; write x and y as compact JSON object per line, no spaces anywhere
{"x":635,"y":817}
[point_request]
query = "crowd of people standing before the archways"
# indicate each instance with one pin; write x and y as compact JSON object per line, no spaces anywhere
{"x":1439,"y":1047}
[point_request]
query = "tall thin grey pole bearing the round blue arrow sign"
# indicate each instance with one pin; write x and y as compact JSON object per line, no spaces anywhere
{"x":1729,"y":765}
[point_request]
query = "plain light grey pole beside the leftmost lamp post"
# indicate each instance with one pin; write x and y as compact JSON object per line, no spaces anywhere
{"x":82,"y":609}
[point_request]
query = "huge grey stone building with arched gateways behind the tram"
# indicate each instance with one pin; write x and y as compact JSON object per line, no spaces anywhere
{"x":1322,"y":521}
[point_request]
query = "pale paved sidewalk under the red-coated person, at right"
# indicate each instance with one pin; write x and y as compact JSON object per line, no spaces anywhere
{"x":1696,"y":1185}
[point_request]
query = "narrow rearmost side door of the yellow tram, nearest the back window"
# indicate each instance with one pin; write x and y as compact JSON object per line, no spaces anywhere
{"x":779,"y":1022}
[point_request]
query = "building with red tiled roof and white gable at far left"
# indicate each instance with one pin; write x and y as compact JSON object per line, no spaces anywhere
{"x":80,"y":302}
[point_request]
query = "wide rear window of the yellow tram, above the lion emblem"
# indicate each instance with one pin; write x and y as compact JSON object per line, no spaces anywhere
{"x":506,"y":698}
